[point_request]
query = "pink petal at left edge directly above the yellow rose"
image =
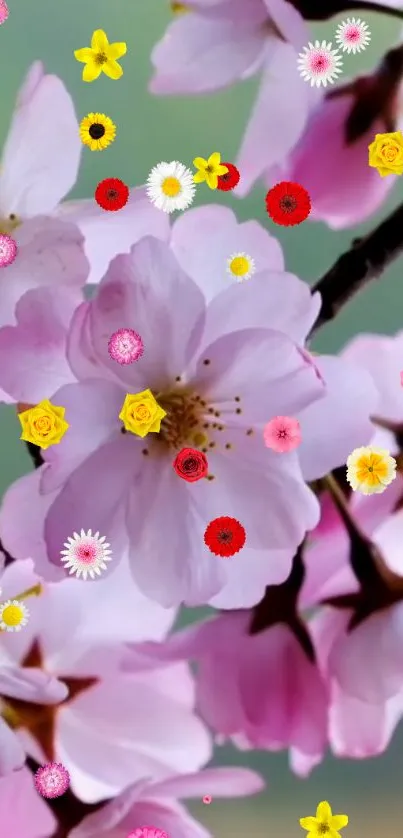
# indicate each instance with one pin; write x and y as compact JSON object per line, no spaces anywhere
{"x":33,"y":362}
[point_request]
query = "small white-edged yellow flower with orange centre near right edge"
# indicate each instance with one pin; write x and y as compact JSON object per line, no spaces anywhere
{"x":370,"y":470}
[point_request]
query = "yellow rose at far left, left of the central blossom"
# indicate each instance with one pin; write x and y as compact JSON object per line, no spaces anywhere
{"x":43,"y":425}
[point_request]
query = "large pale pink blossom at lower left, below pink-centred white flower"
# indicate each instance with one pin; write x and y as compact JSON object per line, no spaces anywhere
{"x":152,"y":728}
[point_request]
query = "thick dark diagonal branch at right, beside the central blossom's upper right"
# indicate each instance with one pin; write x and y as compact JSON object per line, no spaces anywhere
{"x":366,"y":260}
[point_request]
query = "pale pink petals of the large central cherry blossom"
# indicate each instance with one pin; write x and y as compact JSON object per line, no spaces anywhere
{"x":149,"y":279}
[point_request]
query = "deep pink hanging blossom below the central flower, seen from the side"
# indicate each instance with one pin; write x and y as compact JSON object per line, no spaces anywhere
{"x":275,"y":697}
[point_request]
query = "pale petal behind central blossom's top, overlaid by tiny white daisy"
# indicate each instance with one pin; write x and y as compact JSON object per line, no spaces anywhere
{"x":207,"y":266}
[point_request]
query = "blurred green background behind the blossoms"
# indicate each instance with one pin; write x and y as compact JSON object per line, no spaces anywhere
{"x":151,"y":129}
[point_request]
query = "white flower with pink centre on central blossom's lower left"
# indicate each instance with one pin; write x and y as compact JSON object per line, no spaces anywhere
{"x":86,"y":554}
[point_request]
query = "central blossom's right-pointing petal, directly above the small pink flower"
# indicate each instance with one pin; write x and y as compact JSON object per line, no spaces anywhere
{"x":265,"y":369}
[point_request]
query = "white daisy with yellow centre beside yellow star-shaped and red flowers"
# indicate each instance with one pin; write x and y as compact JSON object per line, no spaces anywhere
{"x":170,"y":186}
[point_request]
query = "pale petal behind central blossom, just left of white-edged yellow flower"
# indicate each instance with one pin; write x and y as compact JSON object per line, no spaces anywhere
{"x":329,"y":431}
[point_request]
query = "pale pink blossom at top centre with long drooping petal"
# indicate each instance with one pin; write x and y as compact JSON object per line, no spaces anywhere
{"x":214,"y":45}
